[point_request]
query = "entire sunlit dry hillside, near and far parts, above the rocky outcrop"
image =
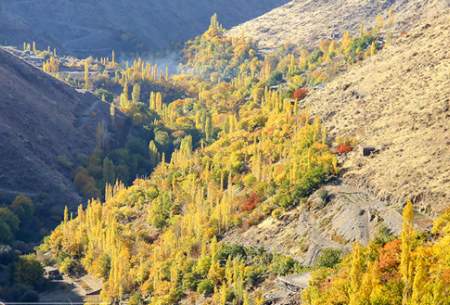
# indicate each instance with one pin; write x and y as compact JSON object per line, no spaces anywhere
{"x":397,"y":102}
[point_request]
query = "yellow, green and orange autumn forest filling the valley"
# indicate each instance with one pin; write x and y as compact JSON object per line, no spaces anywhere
{"x":220,"y":146}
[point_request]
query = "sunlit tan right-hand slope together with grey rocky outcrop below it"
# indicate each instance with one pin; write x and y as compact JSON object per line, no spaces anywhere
{"x":398,"y":103}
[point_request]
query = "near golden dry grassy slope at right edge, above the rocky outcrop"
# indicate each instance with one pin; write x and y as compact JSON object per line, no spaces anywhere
{"x":399,"y":101}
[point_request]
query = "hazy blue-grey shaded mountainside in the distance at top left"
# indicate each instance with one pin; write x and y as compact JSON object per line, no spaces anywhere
{"x":95,"y":27}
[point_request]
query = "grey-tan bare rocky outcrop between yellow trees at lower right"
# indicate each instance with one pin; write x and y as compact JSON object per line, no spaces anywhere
{"x":348,"y":215}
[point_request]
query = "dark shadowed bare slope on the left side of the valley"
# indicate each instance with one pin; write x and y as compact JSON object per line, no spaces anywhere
{"x":42,"y":120}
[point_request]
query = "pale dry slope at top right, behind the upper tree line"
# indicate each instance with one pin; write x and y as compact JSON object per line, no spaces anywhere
{"x":305,"y":22}
